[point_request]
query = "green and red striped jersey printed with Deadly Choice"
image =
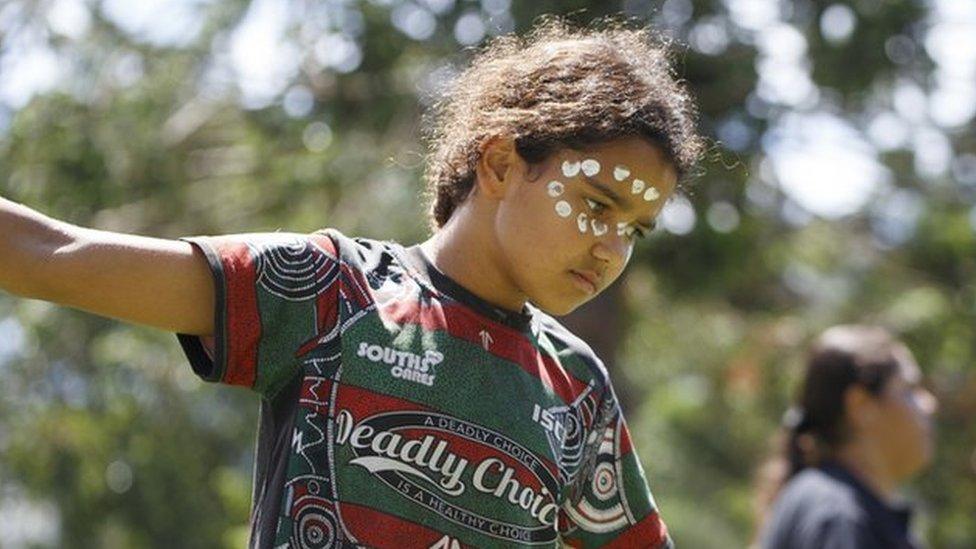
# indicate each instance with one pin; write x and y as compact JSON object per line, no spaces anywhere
{"x":400,"y":410}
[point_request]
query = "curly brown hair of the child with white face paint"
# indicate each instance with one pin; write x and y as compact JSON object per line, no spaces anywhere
{"x":557,"y":87}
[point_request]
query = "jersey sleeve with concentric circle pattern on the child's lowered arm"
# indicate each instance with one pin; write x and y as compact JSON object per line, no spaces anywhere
{"x":610,"y":504}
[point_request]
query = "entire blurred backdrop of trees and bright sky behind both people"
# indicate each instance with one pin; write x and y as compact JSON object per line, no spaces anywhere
{"x":840,"y":186}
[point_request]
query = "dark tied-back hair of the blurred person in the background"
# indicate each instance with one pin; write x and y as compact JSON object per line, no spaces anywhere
{"x":814,"y":429}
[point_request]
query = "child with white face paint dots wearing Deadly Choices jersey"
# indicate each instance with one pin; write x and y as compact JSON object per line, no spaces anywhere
{"x":422,"y":396}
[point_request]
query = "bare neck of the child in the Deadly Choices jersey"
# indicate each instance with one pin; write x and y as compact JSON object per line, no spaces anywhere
{"x":464,"y":249}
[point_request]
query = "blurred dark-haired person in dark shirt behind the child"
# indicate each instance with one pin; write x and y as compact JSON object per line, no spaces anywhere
{"x":861,"y":428}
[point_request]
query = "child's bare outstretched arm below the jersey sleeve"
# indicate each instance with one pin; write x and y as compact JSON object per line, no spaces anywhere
{"x":161,"y":283}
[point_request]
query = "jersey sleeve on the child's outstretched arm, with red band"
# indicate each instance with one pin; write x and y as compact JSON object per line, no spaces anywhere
{"x":276,"y":295}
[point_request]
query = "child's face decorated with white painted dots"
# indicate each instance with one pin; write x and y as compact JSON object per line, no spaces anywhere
{"x":568,"y":227}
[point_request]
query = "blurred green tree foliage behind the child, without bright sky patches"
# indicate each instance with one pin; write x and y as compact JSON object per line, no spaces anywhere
{"x":108,"y":423}
